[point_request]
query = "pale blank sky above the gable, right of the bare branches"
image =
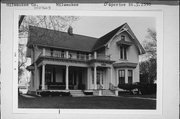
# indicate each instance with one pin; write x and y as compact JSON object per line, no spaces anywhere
{"x":99,"y":26}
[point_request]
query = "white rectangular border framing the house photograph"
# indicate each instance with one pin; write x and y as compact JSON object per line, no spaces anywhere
{"x":157,"y":14}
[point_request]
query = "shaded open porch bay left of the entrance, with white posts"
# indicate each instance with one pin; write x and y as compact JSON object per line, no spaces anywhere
{"x":59,"y":77}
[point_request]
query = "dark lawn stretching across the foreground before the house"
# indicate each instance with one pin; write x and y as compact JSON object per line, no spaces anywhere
{"x":94,"y":102}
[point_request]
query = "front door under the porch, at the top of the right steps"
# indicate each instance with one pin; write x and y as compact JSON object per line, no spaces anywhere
{"x":100,"y":79}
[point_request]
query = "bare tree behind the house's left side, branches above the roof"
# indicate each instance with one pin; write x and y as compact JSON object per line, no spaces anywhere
{"x":60,"y":23}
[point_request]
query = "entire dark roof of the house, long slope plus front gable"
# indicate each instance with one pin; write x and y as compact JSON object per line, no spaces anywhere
{"x":58,"y":39}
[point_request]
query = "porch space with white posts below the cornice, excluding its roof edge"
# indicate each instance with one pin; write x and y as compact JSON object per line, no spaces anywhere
{"x":69,"y":77}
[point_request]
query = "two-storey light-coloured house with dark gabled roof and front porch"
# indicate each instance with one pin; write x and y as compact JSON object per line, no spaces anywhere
{"x":67,"y":61}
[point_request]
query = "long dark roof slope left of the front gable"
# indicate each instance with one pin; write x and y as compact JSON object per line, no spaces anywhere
{"x":57,"y":39}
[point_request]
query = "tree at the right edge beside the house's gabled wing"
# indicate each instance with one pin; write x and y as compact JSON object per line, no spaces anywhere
{"x":148,"y":67}
